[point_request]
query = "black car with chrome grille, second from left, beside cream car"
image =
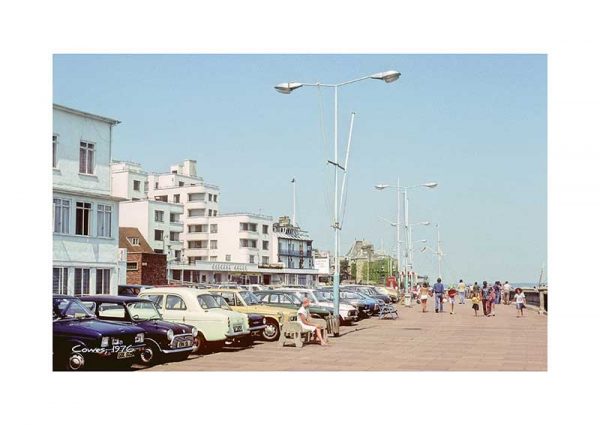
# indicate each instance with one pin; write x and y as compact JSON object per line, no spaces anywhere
{"x":165,"y":341}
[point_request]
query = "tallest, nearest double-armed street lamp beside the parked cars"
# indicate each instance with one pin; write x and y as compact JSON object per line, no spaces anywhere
{"x":287,"y":88}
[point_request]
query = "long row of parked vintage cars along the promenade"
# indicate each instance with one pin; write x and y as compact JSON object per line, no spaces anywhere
{"x":150,"y":325}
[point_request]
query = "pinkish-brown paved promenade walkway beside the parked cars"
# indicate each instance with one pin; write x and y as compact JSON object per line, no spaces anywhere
{"x":415,"y":342}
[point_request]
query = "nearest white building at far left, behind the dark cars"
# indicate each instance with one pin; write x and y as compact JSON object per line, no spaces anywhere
{"x":86,"y":255}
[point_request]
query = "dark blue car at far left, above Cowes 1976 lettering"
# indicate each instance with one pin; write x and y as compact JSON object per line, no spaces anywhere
{"x":81,"y":341}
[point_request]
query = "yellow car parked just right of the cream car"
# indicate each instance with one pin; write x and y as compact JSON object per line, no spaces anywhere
{"x":246,"y":302}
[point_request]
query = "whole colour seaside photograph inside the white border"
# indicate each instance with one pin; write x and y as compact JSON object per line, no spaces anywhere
{"x":299,"y":212}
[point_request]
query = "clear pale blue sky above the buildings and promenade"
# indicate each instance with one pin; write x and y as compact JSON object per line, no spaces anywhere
{"x":476,"y":124}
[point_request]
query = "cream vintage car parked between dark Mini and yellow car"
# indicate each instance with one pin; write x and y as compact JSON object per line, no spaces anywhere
{"x":196,"y":307}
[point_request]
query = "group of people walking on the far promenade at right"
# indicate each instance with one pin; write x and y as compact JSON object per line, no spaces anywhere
{"x":487,"y":295}
